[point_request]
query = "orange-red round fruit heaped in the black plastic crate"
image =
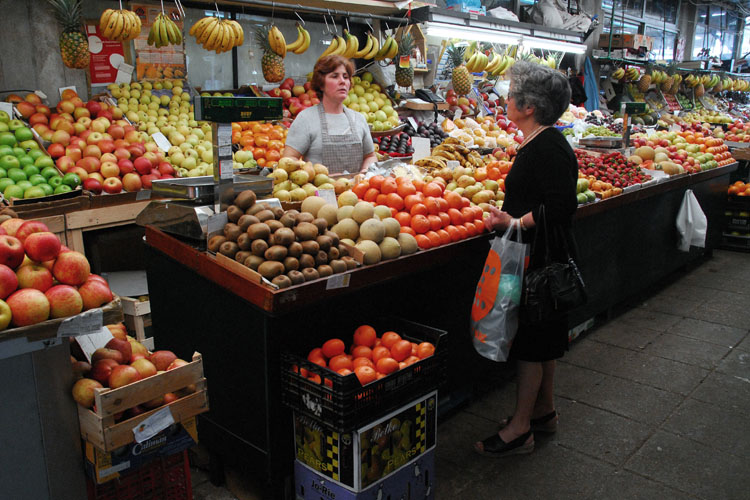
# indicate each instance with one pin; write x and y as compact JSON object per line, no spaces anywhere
{"x":370,"y":357}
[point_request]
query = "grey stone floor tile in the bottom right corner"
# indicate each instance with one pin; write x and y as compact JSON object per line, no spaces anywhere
{"x":691,"y":467}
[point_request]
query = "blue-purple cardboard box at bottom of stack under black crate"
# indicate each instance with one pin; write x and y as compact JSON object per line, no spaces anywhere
{"x":414,"y":480}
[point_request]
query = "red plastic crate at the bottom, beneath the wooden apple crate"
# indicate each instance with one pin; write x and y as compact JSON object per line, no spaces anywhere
{"x":163,"y":479}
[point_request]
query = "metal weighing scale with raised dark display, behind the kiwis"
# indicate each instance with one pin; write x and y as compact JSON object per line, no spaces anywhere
{"x":197,"y":205}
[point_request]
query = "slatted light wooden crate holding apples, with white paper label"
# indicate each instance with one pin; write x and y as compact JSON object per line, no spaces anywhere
{"x":99,"y":427}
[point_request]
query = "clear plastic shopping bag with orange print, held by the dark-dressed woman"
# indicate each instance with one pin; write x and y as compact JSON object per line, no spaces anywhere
{"x":494,"y":312}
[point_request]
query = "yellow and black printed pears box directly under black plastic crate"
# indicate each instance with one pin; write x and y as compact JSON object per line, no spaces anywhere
{"x":356,"y":460}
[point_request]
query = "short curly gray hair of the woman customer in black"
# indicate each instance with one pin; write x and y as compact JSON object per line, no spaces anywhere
{"x":542,"y":88}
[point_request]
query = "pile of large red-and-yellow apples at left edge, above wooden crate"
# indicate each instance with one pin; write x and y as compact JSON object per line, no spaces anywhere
{"x":41,"y":279}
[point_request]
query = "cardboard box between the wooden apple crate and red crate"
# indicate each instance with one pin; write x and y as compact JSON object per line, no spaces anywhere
{"x":102,"y":466}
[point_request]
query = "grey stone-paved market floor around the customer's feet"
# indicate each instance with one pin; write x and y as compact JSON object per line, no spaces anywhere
{"x":653,"y":404}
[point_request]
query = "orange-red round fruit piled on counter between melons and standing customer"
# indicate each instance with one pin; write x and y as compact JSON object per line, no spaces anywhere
{"x":427,"y":211}
